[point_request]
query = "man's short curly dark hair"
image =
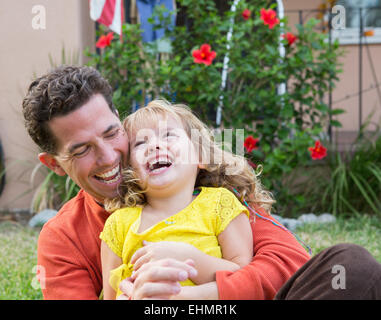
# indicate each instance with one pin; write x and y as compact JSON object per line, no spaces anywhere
{"x":58,"y":93}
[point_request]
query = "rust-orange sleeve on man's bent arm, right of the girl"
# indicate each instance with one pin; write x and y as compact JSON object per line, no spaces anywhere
{"x":277,"y":255}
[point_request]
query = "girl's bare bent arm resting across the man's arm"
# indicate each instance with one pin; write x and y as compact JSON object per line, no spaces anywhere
{"x":236,"y":245}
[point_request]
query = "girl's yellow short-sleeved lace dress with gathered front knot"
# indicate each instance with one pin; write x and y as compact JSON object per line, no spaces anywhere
{"x":198,"y":224}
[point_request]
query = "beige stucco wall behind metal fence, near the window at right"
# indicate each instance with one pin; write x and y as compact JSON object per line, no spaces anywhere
{"x":348,"y":84}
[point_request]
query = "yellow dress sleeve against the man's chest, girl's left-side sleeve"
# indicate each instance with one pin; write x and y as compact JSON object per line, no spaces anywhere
{"x":112,"y":233}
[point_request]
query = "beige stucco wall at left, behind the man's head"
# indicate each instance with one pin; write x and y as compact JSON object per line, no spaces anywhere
{"x":24,"y":53}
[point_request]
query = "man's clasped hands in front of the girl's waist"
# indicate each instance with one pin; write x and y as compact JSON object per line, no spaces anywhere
{"x":157,"y":279}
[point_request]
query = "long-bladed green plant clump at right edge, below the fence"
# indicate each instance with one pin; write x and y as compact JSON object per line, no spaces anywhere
{"x":348,"y":183}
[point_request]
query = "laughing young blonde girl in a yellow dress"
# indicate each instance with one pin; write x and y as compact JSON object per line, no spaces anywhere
{"x":177,"y":190}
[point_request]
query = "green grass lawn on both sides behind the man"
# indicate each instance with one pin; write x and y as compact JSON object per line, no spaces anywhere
{"x":18,"y":250}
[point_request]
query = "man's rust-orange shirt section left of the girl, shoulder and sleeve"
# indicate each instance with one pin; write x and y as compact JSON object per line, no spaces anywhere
{"x":69,"y":250}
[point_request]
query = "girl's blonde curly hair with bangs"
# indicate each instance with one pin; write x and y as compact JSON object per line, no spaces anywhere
{"x":220,"y":168}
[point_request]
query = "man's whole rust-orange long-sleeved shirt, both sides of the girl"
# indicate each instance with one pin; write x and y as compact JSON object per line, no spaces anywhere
{"x":69,"y":254}
